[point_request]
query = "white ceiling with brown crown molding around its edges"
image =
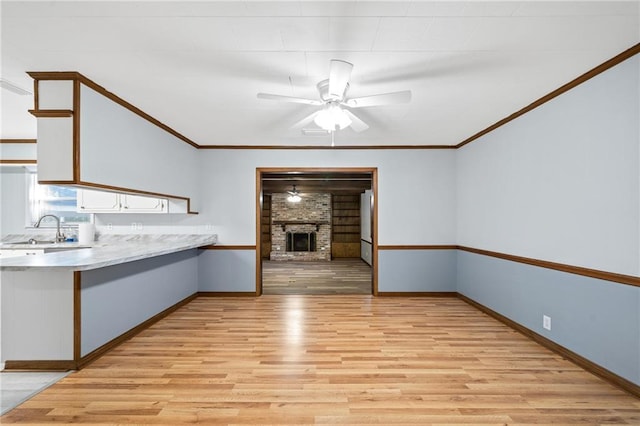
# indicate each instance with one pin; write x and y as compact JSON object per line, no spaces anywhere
{"x":197,"y":66}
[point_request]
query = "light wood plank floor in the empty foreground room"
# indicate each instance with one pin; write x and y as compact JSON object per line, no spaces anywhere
{"x":329,"y":360}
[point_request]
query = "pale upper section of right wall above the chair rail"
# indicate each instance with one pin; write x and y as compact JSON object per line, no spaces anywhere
{"x":562,"y":182}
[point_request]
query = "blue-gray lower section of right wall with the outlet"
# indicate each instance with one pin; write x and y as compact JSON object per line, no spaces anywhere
{"x":597,"y":319}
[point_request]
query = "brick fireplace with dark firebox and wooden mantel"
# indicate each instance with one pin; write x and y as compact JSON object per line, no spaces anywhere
{"x":301,"y":231}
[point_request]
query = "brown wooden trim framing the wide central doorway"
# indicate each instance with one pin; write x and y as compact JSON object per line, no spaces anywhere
{"x":374,"y":213}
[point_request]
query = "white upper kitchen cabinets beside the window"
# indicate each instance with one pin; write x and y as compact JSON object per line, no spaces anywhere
{"x":91,"y":201}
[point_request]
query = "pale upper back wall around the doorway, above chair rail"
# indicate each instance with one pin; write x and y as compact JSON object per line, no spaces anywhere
{"x":416,"y":190}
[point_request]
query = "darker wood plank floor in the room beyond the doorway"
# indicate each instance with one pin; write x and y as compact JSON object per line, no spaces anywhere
{"x":340,"y":276}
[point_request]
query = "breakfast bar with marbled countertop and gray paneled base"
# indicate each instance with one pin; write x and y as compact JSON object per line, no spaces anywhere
{"x":63,"y":309}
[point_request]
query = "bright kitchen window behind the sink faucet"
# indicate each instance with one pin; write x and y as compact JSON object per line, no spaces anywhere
{"x":52,"y":199}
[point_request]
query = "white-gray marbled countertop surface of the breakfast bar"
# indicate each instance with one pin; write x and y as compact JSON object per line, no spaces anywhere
{"x":108,"y":251}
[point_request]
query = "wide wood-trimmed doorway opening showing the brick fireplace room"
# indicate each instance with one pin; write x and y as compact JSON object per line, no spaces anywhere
{"x":316,"y":231}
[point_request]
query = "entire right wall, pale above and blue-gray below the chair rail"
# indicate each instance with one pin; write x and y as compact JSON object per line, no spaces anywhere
{"x":561,"y":184}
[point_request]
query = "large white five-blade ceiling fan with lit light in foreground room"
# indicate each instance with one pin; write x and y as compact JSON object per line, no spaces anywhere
{"x":335,"y":113}
